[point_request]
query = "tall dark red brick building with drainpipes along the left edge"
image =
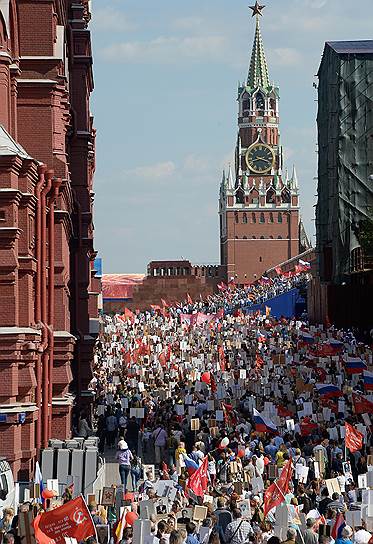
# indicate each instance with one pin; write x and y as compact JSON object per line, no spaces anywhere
{"x":47,"y":284}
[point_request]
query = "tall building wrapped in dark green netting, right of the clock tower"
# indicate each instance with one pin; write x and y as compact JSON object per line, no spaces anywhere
{"x":344,"y":211}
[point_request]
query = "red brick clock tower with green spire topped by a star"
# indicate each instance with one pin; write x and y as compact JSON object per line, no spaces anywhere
{"x":259,"y":202}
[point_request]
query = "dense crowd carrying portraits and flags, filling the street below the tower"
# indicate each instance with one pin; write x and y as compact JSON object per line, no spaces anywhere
{"x":222,"y":409}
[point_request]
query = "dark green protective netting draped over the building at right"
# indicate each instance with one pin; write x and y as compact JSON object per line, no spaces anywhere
{"x":345,"y":130}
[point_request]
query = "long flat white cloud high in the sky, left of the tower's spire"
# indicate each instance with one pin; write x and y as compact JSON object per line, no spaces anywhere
{"x":167,"y":49}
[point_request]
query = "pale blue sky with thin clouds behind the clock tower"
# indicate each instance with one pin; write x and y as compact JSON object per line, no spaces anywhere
{"x":166,"y":75}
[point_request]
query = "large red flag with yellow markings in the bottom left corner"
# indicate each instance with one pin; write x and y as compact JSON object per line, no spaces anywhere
{"x":72,"y":519}
